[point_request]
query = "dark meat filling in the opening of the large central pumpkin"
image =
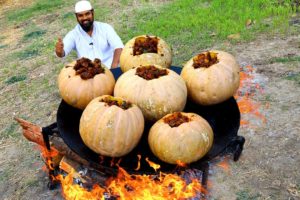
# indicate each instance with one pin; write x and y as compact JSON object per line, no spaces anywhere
{"x":150,"y":72}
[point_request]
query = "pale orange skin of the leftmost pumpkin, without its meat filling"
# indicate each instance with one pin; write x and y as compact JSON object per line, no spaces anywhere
{"x":78,"y":92}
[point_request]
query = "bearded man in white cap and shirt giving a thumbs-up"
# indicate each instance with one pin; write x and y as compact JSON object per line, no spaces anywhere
{"x":91,"y":39}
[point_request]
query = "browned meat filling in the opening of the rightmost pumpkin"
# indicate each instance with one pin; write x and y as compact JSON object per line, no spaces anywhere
{"x":206,"y":60}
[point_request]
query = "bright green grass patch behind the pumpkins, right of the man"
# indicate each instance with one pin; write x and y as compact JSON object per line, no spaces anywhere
{"x":192,"y":25}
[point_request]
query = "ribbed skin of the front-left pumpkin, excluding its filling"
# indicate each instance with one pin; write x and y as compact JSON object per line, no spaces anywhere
{"x":110,"y":130}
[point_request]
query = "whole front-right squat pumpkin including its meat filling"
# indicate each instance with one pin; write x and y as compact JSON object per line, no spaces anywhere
{"x":180,"y":138}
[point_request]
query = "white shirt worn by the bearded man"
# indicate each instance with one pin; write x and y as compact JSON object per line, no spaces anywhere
{"x":101,"y":44}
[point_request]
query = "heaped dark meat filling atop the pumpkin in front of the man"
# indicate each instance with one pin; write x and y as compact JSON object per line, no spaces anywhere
{"x":88,"y":69}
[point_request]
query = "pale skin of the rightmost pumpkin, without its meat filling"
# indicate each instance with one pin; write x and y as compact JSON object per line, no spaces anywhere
{"x":214,"y":84}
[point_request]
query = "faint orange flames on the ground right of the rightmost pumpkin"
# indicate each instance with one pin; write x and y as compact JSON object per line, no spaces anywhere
{"x":249,"y":86}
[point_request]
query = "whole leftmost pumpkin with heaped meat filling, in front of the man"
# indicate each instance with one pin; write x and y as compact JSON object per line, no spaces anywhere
{"x":82,"y":80}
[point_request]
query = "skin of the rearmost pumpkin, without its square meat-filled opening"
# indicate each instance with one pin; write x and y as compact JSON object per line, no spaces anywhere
{"x":128,"y":60}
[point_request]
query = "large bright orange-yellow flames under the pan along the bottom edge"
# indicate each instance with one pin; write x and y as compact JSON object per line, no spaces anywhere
{"x":126,"y":186}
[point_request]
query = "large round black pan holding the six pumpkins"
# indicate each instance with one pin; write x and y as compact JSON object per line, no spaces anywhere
{"x":224,"y":119}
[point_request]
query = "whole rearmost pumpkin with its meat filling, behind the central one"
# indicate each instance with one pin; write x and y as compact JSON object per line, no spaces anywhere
{"x":143,"y":50}
